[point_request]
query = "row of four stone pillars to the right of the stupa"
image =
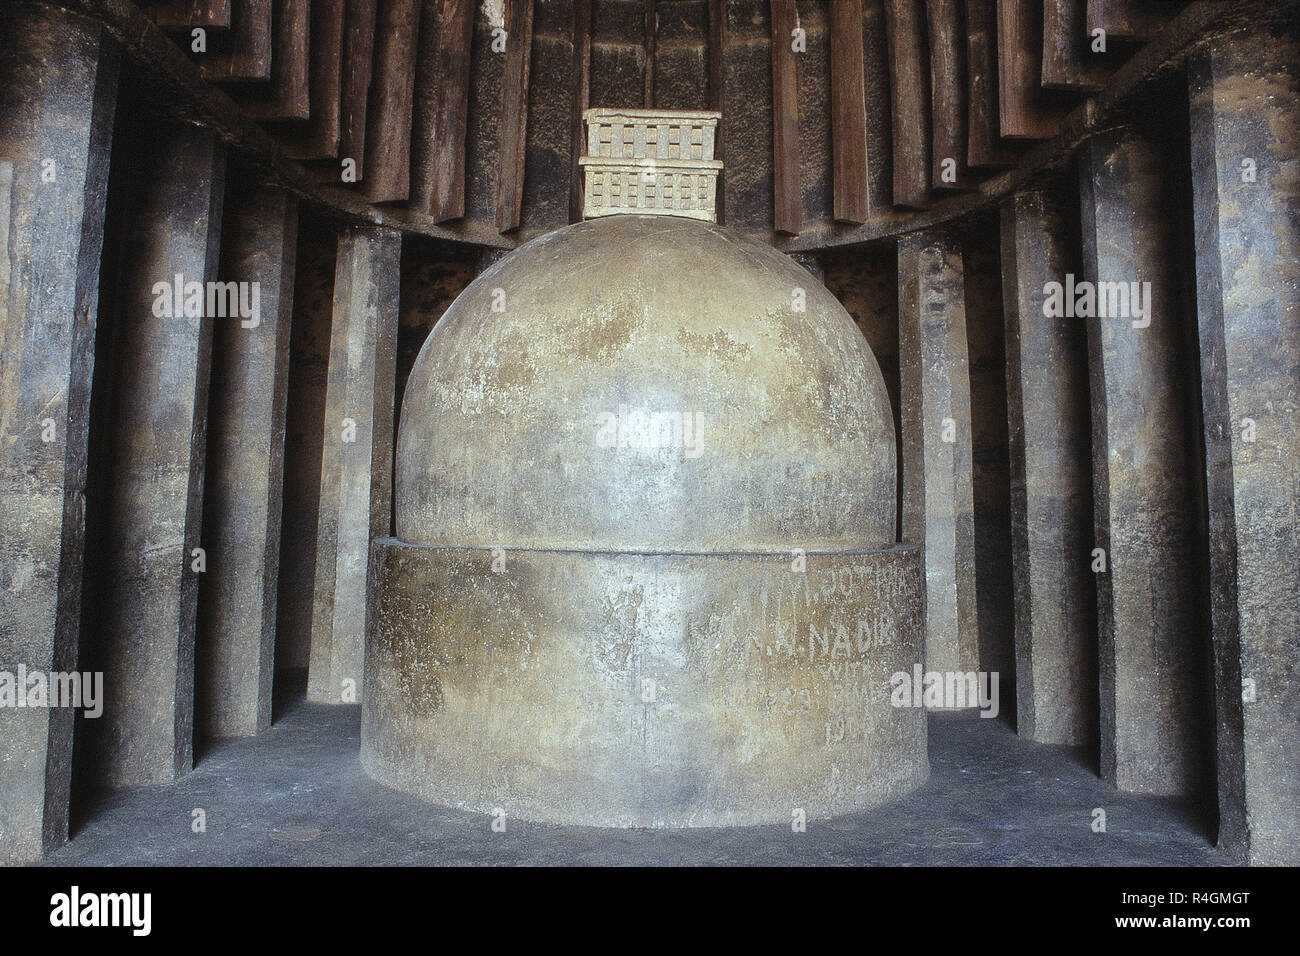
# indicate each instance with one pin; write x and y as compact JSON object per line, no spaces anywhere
{"x":1129,"y":455}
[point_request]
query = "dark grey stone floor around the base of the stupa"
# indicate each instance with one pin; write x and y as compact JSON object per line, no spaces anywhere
{"x":298,"y":795}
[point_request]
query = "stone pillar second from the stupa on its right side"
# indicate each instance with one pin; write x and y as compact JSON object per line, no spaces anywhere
{"x":1047,"y":388}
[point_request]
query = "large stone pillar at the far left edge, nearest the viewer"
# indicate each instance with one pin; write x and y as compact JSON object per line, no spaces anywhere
{"x":58,"y":98}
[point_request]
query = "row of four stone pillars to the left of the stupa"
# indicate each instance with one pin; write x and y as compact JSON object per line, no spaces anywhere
{"x":192,"y":432}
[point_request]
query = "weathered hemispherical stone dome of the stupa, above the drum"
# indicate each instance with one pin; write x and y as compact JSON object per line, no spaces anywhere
{"x":647,"y":384}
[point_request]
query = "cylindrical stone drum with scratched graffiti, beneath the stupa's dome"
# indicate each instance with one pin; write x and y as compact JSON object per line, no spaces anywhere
{"x":527,"y":689}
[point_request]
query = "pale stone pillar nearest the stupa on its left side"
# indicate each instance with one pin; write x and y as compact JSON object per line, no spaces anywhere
{"x":357,"y":469}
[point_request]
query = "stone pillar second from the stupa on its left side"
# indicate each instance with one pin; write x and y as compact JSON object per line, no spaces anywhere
{"x":246,"y":458}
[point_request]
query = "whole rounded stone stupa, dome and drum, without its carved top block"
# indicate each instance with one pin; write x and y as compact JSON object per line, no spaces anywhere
{"x":644,"y":570}
